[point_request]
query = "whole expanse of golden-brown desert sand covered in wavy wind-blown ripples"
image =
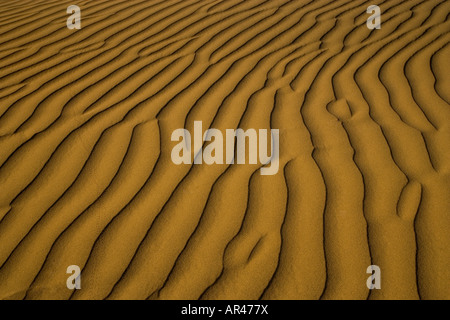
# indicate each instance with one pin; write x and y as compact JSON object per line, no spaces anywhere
{"x":86,"y":176}
